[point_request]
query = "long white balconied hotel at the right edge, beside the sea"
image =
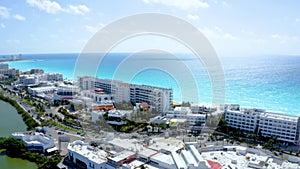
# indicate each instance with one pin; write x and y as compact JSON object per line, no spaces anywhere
{"x":285,"y":127}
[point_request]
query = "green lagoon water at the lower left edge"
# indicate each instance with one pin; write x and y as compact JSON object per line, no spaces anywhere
{"x":11,"y":121}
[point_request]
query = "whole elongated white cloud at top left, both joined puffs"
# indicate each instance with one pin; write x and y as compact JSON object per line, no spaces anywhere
{"x":54,"y":7}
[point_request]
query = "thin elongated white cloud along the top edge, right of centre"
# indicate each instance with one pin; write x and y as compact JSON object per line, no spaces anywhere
{"x":181,"y":4}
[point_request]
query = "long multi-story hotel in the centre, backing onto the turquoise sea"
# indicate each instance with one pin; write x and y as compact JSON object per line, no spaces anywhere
{"x":160,"y":98}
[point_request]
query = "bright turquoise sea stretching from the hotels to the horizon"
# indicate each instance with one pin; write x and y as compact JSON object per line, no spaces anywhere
{"x":270,"y":82}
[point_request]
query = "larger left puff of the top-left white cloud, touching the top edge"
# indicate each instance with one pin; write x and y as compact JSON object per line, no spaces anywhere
{"x":49,"y":6}
